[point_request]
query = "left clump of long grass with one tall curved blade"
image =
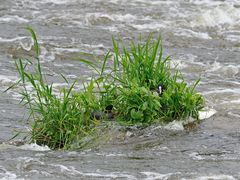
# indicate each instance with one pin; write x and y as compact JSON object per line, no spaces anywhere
{"x":57,"y":120}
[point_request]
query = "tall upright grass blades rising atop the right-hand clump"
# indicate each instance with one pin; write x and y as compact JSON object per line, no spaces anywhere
{"x":143,"y":64}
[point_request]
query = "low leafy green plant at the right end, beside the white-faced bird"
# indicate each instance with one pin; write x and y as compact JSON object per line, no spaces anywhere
{"x":180,"y":102}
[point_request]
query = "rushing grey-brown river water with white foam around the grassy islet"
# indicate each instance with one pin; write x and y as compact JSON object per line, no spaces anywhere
{"x":203,"y":37}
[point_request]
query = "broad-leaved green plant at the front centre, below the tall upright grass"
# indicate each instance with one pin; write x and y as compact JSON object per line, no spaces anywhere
{"x":138,"y":105}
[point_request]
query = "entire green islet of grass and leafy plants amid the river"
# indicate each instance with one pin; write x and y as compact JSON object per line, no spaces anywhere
{"x":134,"y":85}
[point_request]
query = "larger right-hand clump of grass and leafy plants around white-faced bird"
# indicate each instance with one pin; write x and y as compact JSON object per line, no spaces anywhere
{"x":143,"y":88}
